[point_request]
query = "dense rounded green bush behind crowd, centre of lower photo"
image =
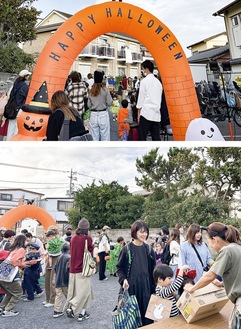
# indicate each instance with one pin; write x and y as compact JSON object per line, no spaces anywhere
{"x":106,"y":204}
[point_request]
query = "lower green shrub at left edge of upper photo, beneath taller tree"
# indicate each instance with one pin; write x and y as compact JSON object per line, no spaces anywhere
{"x":13,"y":59}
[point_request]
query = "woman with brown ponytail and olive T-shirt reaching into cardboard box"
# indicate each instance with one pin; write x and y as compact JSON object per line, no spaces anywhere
{"x":226,"y":240}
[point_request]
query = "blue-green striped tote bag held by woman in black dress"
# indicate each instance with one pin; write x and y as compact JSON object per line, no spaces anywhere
{"x":127,"y":314}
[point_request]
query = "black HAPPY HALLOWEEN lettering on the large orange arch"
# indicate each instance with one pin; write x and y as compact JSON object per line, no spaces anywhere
{"x":109,"y":14}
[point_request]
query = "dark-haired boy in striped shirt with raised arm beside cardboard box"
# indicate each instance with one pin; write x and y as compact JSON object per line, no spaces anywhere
{"x":165,"y":287}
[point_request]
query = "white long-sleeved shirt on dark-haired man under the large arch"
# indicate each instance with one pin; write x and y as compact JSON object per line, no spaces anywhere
{"x":149,"y":99}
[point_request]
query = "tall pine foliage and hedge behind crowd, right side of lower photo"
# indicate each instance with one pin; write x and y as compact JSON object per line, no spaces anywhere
{"x":190,"y":185}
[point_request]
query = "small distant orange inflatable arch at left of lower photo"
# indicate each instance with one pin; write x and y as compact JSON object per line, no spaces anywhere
{"x":26,"y":211}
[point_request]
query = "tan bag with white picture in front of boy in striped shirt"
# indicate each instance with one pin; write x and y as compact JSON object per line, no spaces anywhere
{"x":158,"y":308}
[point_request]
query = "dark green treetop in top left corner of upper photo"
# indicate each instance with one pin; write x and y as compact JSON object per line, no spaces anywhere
{"x":17,"y":21}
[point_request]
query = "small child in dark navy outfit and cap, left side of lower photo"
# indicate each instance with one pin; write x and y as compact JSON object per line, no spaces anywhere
{"x":31,"y":273}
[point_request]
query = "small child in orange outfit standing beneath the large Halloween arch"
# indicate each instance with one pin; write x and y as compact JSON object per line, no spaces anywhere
{"x":123,"y":119}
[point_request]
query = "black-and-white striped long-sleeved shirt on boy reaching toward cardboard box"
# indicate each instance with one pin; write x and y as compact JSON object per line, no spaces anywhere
{"x":167,"y":293}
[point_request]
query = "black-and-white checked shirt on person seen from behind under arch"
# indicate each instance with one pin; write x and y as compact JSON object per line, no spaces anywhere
{"x":76,"y":92}
